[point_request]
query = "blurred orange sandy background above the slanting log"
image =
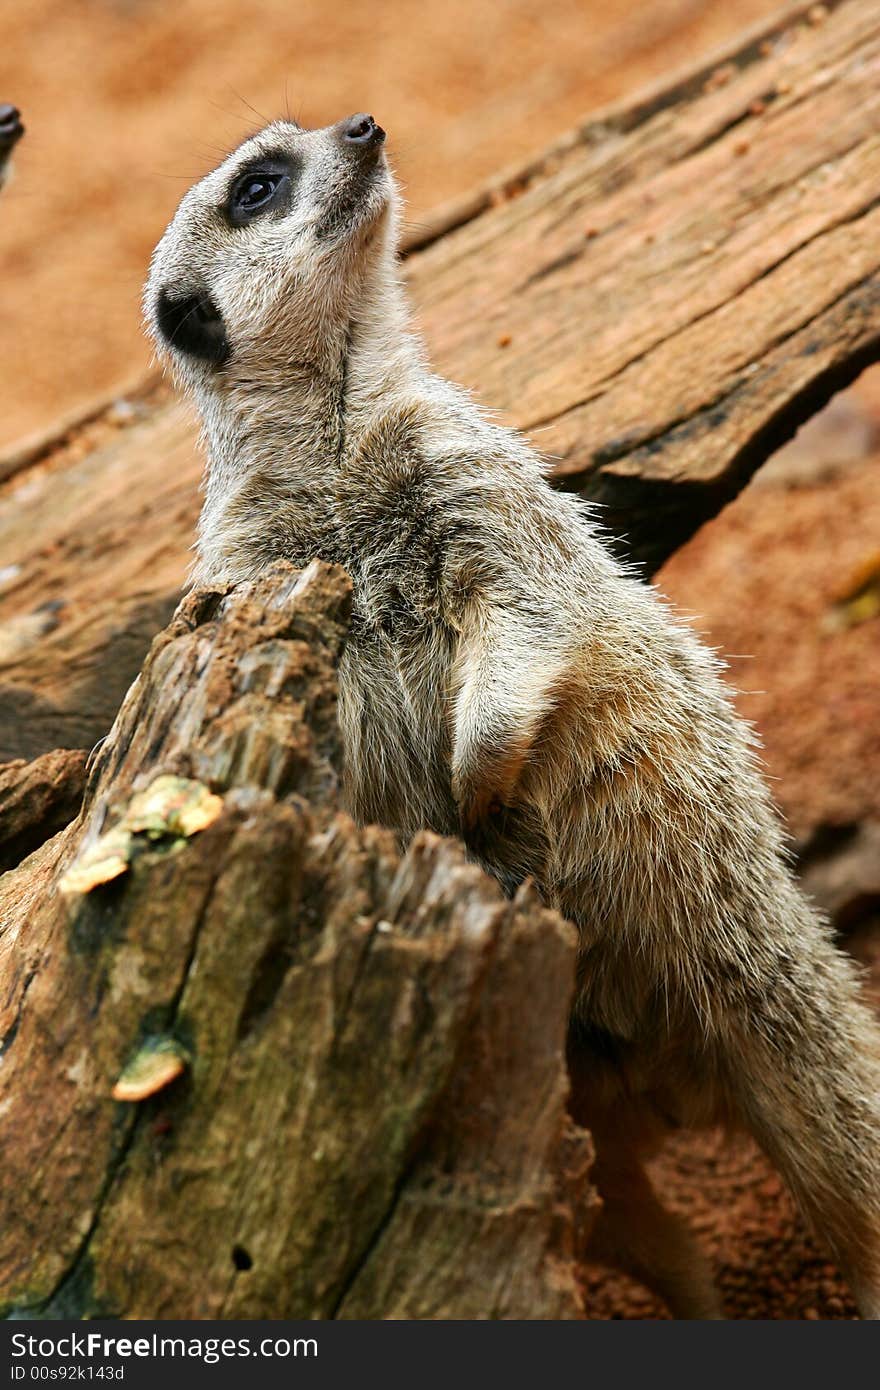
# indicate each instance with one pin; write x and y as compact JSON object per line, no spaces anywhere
{"x":129,"y":102}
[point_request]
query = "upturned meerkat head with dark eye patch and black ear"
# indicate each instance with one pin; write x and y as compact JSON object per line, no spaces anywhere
{"x":268,"y":256}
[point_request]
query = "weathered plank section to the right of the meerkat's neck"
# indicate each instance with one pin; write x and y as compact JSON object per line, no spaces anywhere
{"x":669,"y":297}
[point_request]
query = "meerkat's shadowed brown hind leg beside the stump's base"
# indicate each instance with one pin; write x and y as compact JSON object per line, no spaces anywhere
{"x":636,"y":1234}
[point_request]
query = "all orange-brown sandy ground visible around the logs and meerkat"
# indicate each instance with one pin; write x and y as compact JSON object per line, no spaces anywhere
{"x":129,"y":101}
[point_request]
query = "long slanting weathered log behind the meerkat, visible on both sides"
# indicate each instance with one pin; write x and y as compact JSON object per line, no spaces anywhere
{"x":660,"y":301}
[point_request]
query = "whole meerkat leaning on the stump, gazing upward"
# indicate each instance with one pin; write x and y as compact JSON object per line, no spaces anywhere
{"x":508,"y":682}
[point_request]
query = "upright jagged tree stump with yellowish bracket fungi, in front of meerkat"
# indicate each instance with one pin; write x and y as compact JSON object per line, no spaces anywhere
{"x":364,"y":1052}
